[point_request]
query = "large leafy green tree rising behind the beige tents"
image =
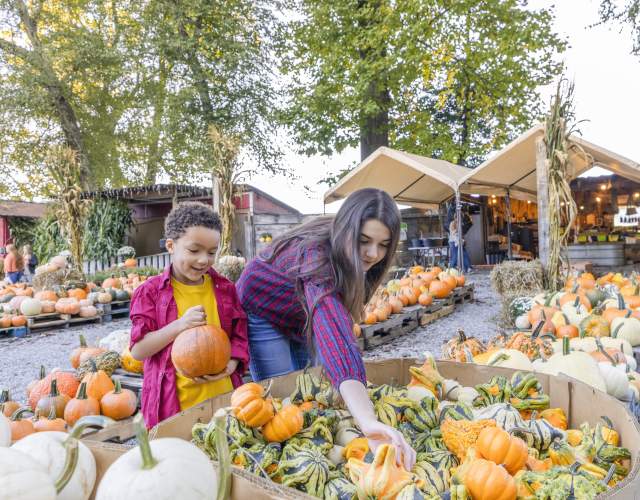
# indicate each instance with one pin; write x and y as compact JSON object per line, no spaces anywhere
{"x":452,"y":80}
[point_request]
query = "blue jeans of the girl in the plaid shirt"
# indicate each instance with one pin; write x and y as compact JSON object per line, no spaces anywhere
{"x":272,"y":353}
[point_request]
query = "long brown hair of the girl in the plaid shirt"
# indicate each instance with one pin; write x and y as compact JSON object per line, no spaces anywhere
{"x":341,"y":236}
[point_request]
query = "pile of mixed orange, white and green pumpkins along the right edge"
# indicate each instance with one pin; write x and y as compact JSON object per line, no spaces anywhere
{"x":587,"y":331}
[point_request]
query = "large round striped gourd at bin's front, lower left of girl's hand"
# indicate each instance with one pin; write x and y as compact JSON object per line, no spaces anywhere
{"x":304,"y":468}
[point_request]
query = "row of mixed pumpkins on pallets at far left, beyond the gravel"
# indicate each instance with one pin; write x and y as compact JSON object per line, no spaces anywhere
{"x":20,"y":301}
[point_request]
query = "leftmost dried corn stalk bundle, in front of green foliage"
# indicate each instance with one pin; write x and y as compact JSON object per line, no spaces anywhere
{"x":63,"y":167}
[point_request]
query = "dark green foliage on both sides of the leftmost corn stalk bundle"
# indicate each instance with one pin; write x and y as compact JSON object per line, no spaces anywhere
{"x":104,"y":232}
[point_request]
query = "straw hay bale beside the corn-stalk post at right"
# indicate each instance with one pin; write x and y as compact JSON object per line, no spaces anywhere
{"x":513,"y":279}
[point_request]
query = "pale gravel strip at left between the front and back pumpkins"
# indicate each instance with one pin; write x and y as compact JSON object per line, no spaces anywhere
{"x":22,"y":357}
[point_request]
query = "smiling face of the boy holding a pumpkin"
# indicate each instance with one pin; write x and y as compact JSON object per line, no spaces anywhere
{"x":193,"y":253}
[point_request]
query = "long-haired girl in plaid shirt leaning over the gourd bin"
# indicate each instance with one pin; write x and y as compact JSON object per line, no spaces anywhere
{"x":308,"y":289}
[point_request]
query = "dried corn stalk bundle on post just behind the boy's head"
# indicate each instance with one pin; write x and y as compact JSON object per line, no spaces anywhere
{"x":225,"y":149}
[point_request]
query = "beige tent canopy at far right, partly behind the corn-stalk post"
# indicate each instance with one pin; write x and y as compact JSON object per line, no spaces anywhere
{"x":513,"y":169}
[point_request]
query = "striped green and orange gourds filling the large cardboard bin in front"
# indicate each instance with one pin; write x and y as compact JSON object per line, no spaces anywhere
{"x":493,"y":441}
